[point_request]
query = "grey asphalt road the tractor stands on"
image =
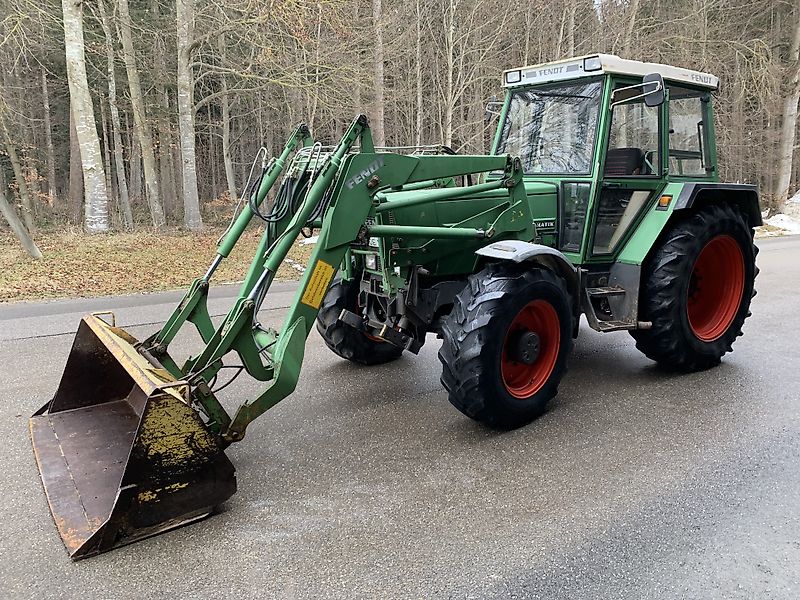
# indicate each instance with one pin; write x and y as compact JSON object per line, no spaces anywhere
{"x":366,"y":483}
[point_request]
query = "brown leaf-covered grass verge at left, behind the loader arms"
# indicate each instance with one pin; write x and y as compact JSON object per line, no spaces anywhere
{"x":76,"y":265}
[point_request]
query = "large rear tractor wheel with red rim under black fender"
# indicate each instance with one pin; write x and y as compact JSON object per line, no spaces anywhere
{"x":696,"y":289}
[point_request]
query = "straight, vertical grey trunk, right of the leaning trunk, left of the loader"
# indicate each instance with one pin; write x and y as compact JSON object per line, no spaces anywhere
{"x":191,"y":200}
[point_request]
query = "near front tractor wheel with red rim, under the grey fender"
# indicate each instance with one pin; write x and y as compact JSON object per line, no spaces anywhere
{"x":506,"y":343}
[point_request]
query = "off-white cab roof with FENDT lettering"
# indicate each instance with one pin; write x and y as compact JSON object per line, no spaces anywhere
{"x":596,"y":64}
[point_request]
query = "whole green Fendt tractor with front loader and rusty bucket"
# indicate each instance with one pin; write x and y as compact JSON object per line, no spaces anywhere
{"x":601,"y":198}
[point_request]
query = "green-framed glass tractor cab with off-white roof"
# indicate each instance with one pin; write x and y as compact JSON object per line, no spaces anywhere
{"x":608,"y":134}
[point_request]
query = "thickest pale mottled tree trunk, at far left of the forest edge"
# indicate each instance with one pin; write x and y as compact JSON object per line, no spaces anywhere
{"x":94,"y":179}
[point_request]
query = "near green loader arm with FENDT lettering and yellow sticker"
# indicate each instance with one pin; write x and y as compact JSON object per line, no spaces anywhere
{"x":349,"y":183}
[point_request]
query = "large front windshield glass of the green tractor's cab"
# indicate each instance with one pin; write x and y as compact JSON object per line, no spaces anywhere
{"x":552,"y":129}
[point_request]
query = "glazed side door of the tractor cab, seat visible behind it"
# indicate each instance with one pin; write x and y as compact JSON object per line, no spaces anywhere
{"x":632,"y":170}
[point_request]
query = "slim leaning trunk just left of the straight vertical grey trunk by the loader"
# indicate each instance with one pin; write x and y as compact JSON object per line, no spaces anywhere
{"x":140,"y":122}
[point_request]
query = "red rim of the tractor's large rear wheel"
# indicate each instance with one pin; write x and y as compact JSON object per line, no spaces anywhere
{"x":715,"y":288}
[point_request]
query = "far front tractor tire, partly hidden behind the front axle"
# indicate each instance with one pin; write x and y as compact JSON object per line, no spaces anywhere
{"x":346,"y":341}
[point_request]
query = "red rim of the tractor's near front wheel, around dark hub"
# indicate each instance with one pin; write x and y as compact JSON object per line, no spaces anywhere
{"x":524,"y":380}
